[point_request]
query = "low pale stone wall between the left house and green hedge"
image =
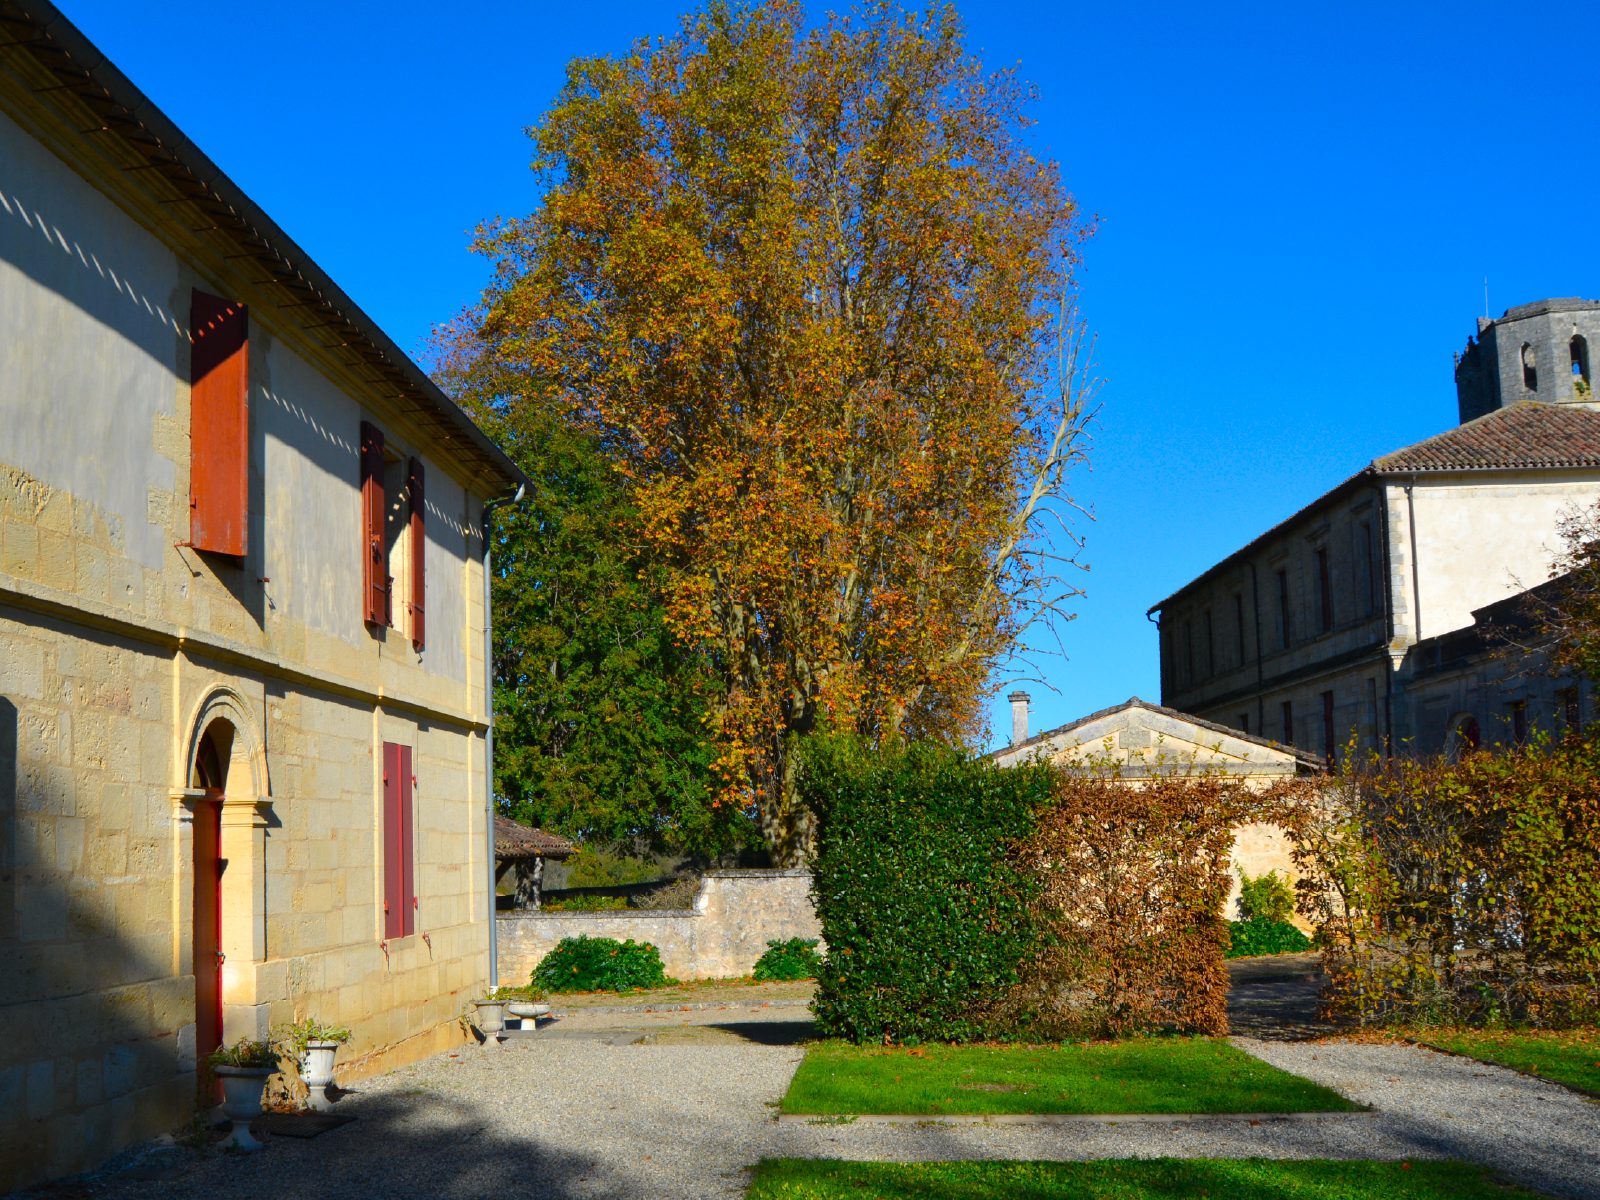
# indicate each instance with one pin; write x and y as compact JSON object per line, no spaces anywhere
{"x":735,"y":914}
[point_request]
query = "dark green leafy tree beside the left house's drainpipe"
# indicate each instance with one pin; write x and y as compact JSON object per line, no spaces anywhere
{"x":601,"y":710}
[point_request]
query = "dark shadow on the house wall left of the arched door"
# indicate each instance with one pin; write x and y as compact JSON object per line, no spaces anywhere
{"x":87,"y":1068}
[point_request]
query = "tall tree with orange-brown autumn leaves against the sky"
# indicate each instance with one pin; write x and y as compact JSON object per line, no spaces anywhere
{"x":807,"y":289}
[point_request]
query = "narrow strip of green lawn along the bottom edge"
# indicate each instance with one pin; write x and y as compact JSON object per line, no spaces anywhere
{"x":1126,"y":1180}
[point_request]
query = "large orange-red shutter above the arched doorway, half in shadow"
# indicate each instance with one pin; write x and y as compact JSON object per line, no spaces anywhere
{"x":218,"y":425}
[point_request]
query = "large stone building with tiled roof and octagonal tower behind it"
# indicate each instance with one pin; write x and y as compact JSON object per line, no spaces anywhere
{"x":1308,"y":634}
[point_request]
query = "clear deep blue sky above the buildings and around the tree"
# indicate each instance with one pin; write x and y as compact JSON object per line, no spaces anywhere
{"x":1300,"y":206}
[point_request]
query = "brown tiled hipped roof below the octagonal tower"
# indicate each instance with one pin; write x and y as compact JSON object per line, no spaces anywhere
{"x":1522,"y":436}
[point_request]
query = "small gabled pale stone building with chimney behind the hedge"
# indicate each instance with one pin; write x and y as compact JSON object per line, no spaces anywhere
{"x":1142,"y":740}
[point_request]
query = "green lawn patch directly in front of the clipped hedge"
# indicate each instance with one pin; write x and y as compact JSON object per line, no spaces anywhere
{"x":1175,"y":1074}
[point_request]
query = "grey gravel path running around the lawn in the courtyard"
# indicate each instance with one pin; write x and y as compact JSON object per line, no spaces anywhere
{"x":652,"y":1106}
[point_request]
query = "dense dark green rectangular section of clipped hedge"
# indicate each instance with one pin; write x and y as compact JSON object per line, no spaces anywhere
{"x":926,"y":914}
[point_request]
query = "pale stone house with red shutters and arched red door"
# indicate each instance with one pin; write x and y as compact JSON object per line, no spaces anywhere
{"x":242,"y":625}
